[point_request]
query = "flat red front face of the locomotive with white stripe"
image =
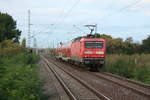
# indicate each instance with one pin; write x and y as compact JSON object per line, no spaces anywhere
{"x":93,"y":51}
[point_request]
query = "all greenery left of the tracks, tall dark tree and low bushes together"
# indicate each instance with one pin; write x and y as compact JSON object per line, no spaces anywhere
{"x":19,"y":78}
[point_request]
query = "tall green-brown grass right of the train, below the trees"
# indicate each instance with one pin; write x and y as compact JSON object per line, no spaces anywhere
{"x":135,"y":67}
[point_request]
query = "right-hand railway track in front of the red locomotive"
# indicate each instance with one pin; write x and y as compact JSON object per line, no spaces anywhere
{"x":137,"y":88}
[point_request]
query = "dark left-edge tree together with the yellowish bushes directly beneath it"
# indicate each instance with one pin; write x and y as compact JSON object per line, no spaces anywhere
{"x":9,"y":37}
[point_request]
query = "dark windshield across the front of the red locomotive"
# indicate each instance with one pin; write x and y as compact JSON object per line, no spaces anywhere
{"x":93,"y":44}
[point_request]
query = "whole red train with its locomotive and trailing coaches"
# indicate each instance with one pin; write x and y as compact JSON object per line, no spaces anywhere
{"x":87,"y":50}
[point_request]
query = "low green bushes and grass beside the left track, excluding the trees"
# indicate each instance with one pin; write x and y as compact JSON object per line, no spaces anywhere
{"x":19,"y":78}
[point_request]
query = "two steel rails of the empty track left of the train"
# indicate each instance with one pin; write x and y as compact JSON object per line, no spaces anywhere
{"x":68,"y":91}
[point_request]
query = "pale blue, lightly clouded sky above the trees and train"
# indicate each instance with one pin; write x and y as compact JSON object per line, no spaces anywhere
{"x":53,"y":20}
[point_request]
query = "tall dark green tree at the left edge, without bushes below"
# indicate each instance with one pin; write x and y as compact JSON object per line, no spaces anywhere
{"x":8,"y":29}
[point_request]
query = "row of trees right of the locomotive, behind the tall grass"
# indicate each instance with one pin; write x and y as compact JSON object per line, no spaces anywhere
{"x":128,"y":46}
